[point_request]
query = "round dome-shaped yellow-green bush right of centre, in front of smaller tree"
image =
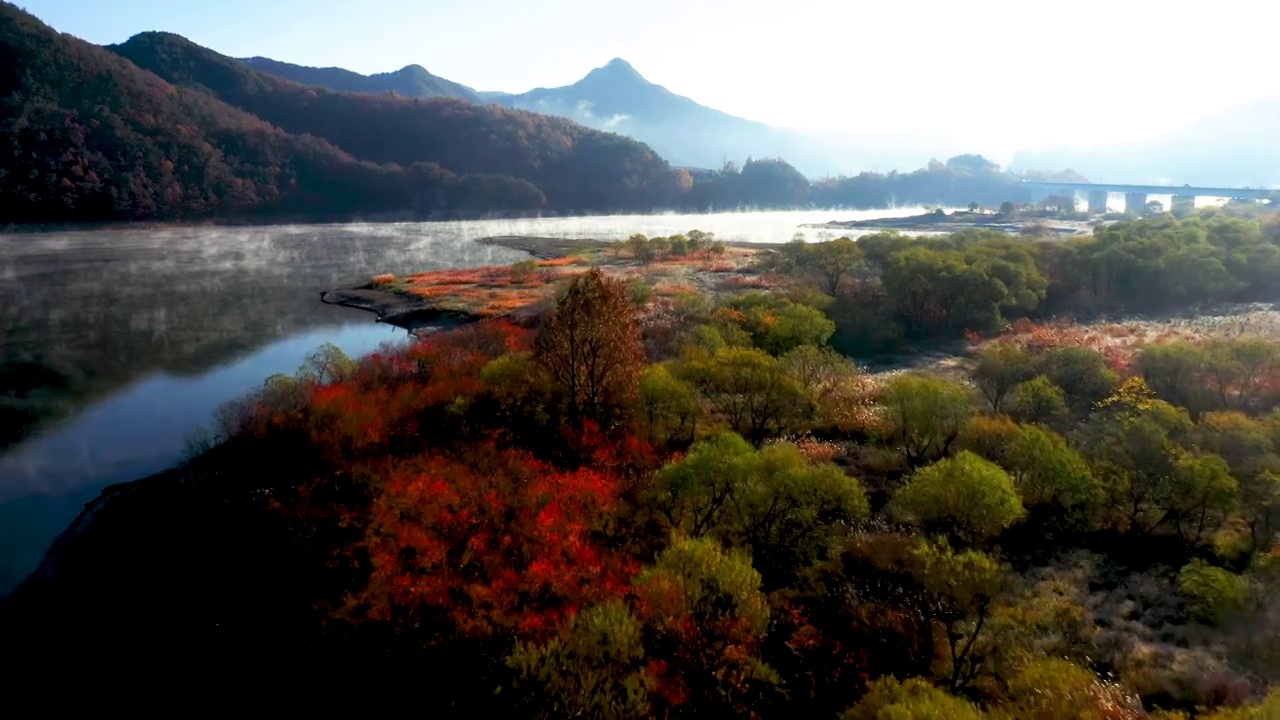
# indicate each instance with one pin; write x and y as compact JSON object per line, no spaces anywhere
{"x":966,"y":496}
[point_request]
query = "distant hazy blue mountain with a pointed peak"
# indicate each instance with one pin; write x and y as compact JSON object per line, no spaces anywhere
{"x":619,"y":99}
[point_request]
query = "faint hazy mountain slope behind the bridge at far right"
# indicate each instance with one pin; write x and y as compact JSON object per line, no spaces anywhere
{"x":1237,"y":148}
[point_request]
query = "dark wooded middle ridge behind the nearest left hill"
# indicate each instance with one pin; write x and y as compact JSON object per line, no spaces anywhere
{"x":575,"y":167}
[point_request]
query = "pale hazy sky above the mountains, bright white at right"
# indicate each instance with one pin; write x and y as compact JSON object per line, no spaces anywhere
{"x":990,"y":76}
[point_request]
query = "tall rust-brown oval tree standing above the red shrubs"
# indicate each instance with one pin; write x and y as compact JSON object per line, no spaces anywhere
{"x":591,"y":347}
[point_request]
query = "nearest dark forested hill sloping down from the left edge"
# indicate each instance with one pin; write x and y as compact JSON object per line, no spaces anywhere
{"x":89,"y":136}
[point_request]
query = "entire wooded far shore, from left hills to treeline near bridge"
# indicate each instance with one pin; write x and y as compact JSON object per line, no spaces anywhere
{"x":161,"y":129}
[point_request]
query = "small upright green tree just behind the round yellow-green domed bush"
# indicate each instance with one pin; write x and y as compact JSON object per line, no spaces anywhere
{"x":924,"y":416}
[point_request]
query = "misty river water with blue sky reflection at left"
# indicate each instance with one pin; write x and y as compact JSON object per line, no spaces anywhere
{"x":117,"y":347}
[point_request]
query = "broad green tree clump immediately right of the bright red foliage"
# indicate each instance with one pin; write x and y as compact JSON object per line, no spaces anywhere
{"x":785,"y":509}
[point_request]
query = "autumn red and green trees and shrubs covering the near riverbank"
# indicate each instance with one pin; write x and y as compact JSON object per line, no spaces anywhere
{"x":662,"y":504}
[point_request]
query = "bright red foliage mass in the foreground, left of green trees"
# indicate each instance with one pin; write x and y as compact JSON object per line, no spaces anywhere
{"x":497,"y":544}
